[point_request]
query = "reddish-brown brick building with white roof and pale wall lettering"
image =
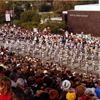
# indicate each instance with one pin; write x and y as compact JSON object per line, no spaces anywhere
{"x":84,"y":18}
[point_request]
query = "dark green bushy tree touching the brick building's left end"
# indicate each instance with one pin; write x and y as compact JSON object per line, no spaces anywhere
{"x":55,"y":26}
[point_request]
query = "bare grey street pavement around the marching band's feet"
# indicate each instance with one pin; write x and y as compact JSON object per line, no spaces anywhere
{"x":75,"y":67}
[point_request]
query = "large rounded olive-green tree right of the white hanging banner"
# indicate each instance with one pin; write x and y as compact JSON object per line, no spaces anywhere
{"x":29,"y":19}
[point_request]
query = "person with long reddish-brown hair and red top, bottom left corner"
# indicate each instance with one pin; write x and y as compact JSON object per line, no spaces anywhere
{"x":5,"y":88}
